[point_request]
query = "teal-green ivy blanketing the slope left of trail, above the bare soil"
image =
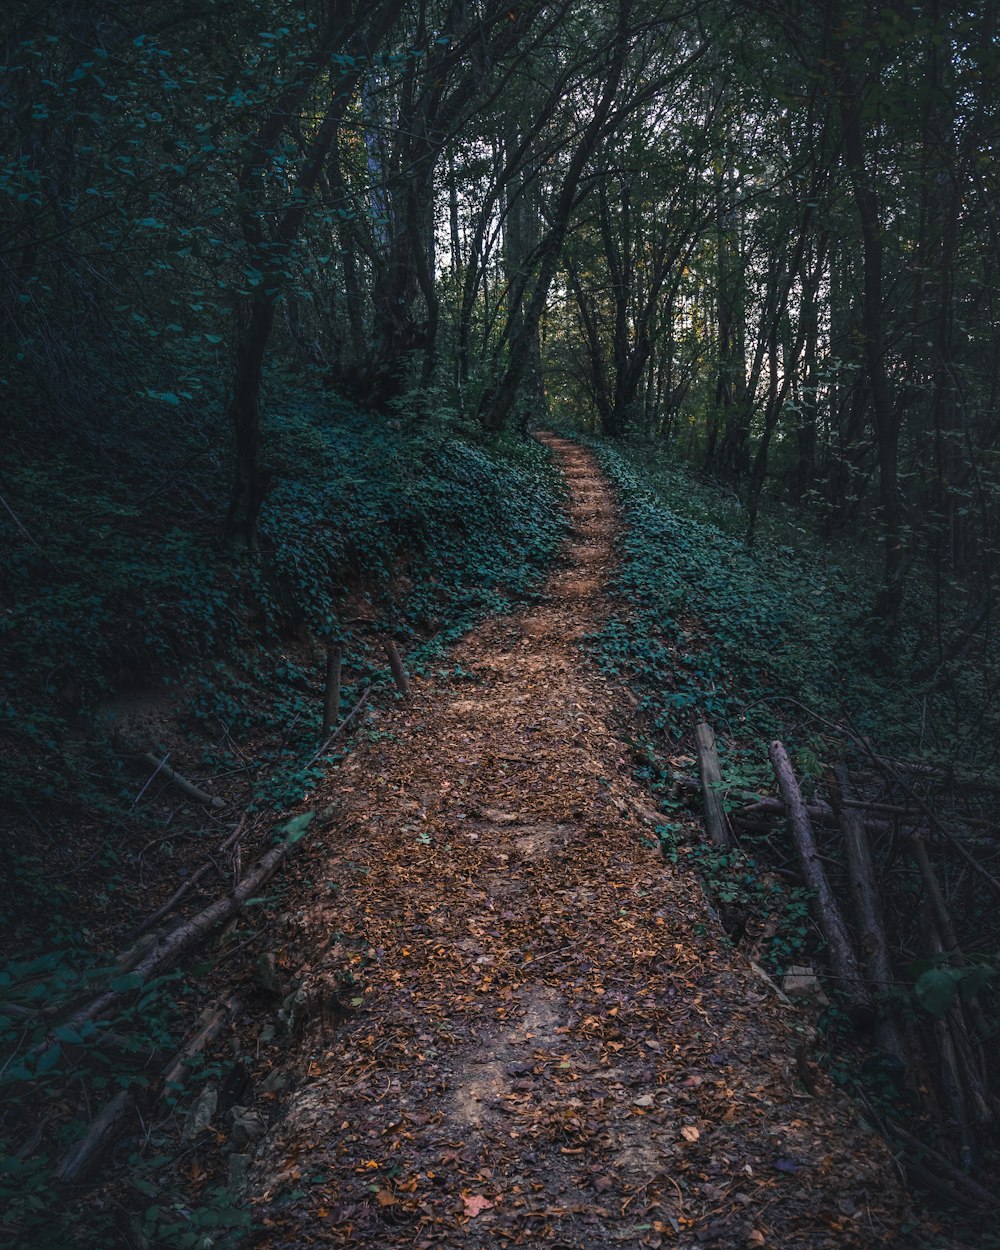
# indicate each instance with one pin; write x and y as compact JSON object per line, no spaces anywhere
{"x":428,"y":531}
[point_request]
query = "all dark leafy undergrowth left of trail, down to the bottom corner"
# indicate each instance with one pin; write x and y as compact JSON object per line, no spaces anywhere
{"x":119,"y":593}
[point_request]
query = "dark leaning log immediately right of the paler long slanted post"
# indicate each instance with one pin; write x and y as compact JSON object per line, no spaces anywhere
{"x":868,"y":911}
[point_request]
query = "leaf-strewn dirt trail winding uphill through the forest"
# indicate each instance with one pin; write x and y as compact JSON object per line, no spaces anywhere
{"x":553,"y":1046}
